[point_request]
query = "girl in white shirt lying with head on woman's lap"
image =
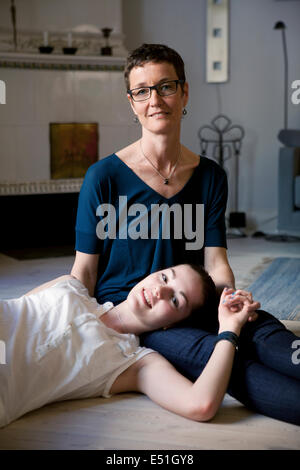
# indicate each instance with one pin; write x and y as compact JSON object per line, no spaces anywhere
{"x":61,"y":344}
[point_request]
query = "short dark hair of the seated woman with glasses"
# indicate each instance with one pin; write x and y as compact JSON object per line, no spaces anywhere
{"x":153,"y":53}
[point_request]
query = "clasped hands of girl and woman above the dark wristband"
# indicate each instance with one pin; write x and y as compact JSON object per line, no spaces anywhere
{"x":235,"y":309}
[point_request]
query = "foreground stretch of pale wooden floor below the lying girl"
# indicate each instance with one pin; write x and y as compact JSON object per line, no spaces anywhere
{"x":132,"y":421}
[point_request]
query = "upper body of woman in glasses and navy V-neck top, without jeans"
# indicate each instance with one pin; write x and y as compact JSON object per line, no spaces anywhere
{"x":151,"y":224}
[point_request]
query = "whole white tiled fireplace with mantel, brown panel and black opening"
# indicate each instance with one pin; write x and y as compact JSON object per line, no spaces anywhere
{"x":42,"y":169}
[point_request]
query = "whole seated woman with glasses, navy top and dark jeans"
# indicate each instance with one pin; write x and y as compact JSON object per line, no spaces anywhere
{"x":156,"y":204}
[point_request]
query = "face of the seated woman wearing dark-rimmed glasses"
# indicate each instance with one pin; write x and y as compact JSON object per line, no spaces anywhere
{"x":158,"y":113}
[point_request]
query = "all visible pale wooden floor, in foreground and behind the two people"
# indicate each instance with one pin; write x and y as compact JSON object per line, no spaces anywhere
{"x":132,"y":421}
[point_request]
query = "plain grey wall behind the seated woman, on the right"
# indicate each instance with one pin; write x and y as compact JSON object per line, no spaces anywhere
{"x":253,"y":97}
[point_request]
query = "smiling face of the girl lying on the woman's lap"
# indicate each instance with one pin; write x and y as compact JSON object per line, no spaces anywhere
{"x":166,"y":297}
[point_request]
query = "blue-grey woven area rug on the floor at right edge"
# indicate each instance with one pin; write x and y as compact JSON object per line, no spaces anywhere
{"x":278,"y":288}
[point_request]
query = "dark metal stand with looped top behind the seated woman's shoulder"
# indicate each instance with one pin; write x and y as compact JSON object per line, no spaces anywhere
{"x":226,"y":140}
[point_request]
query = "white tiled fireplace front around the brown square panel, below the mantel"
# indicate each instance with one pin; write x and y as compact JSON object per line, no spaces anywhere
{"x":34,"y":98}
